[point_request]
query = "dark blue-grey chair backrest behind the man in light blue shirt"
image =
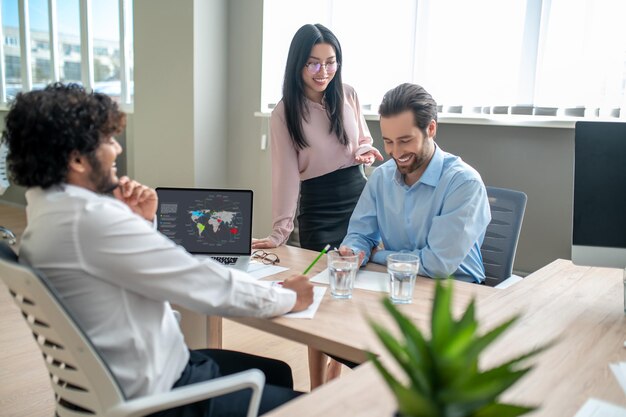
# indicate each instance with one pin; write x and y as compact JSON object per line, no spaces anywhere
{"x":498,"y":248}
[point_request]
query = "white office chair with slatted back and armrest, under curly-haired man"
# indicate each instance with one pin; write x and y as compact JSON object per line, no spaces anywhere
{"x":82,"y":382}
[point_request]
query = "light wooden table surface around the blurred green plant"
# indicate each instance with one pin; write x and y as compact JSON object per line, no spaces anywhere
{"x":581,"y":307}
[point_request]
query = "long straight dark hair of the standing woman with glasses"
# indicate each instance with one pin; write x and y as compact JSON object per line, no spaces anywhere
{"x":294,"y":98}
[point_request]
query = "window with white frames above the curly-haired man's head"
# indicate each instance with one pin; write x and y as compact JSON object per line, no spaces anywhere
{"x":83,"y":41}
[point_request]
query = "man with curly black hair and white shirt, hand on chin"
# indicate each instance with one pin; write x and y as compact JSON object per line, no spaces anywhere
{"x":93,"y":235}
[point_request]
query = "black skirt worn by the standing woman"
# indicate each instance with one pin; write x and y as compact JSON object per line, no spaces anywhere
{"x":326,"y":204}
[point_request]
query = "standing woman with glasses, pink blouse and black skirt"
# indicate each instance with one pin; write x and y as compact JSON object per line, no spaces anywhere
{"x":319,"y":140}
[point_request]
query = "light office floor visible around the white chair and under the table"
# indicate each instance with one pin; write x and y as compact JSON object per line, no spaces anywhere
{"x":24,"y":386}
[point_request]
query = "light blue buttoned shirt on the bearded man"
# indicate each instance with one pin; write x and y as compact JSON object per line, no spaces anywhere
{"x":441,"y":218}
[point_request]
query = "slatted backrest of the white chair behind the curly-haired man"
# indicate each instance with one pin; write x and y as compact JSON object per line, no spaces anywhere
{"x":82,"y":382}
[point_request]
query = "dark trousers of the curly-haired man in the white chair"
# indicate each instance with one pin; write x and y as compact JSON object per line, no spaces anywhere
{"x":207,"y":364}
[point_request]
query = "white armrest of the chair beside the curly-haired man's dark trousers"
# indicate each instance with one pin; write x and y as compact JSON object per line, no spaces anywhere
{"x":253,"y":379}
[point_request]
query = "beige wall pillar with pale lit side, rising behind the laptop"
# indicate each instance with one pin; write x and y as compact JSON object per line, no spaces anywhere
{"x":180,"y":131}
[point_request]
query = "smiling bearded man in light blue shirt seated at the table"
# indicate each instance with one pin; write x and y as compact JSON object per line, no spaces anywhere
{"x":424,"y":201}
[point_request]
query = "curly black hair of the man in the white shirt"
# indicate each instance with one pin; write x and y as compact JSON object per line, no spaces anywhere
{"x":44,"y":127}
